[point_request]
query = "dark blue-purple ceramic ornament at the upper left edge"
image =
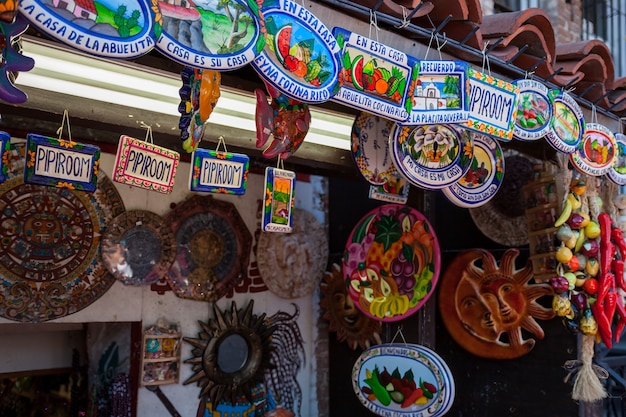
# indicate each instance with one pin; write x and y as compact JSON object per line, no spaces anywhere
{"x":13,"y":61}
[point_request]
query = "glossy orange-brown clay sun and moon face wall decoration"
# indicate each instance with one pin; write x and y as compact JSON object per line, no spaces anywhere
{"x":495,"y":306}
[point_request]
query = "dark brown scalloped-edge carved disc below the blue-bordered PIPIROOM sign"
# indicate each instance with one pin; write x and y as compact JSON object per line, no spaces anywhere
{"x":213,"y":248}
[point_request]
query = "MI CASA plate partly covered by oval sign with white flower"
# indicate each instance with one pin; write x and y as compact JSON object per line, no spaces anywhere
{"x":484,"y":177}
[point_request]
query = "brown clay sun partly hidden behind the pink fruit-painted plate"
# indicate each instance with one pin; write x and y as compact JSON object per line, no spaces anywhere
{"x":350,"y":324}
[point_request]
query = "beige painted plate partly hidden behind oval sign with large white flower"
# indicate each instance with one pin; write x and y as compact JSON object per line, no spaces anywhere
{"x":370,"y":148}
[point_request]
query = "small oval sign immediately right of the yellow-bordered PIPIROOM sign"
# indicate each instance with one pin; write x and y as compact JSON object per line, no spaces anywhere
{"x":534,"y":111}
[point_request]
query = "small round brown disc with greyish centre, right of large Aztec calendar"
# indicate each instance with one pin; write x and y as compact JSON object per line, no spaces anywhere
{"x":138,"y":247}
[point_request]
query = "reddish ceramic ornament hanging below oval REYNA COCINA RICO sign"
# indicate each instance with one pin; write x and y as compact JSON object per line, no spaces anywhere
{"x":284,"y":119}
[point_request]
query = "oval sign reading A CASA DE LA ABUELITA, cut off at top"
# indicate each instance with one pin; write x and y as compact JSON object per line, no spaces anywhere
{"x":115,"y":29}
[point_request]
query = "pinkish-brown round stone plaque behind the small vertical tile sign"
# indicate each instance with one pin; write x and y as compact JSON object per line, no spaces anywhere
{"x":292,"y":264}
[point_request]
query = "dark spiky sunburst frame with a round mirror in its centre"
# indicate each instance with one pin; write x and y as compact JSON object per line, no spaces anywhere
{"x":231,"y":354}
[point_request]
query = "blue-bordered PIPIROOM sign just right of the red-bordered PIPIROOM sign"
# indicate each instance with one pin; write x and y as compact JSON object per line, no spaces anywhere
{"x":218,"y":172}
